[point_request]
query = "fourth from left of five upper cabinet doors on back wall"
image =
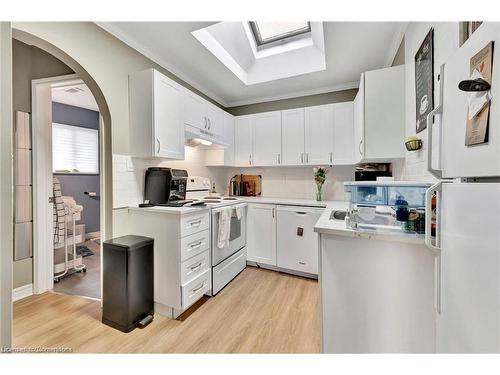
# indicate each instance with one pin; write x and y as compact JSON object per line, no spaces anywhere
{"x":319,"y":134}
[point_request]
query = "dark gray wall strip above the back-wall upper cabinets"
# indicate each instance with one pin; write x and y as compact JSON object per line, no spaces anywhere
{"x":302,"y":101}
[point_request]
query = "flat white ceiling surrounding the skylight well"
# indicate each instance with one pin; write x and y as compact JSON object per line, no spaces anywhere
{"x":350,"y":47}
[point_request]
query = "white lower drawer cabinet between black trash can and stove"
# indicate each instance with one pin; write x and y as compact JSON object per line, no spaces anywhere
{"x":182,"y":272}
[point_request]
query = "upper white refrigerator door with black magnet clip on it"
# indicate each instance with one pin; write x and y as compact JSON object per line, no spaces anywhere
{"x":458,"y":160}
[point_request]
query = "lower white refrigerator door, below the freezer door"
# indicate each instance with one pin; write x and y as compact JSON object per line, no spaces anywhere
{"x":469,"y":321}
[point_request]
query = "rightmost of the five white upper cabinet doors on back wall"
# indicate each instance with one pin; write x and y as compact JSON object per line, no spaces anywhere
{"x":343,"y":137}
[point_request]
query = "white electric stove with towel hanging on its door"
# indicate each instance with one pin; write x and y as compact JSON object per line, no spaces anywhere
{"x":227,"y":262}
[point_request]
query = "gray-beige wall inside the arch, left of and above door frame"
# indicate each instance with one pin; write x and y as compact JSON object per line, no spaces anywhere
{"x":29,"y":63}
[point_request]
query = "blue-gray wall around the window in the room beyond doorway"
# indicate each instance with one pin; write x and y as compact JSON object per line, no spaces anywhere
{"x":76,"y":185}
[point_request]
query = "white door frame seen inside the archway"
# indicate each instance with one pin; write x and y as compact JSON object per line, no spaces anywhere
{"x":43,"y":249}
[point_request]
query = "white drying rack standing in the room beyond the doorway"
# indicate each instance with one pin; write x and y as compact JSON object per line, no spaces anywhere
{"x":76,"y":264}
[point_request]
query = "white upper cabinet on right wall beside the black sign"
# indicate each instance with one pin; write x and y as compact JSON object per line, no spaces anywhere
{"x":383,"y":97}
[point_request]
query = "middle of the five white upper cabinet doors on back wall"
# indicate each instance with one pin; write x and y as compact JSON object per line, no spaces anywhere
{"x":292,"y":136}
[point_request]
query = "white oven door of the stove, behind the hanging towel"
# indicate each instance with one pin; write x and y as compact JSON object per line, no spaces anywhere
{"x":237,"y":237}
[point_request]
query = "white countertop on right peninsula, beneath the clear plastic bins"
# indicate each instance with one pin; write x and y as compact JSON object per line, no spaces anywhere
{"x":338,"y":227}
